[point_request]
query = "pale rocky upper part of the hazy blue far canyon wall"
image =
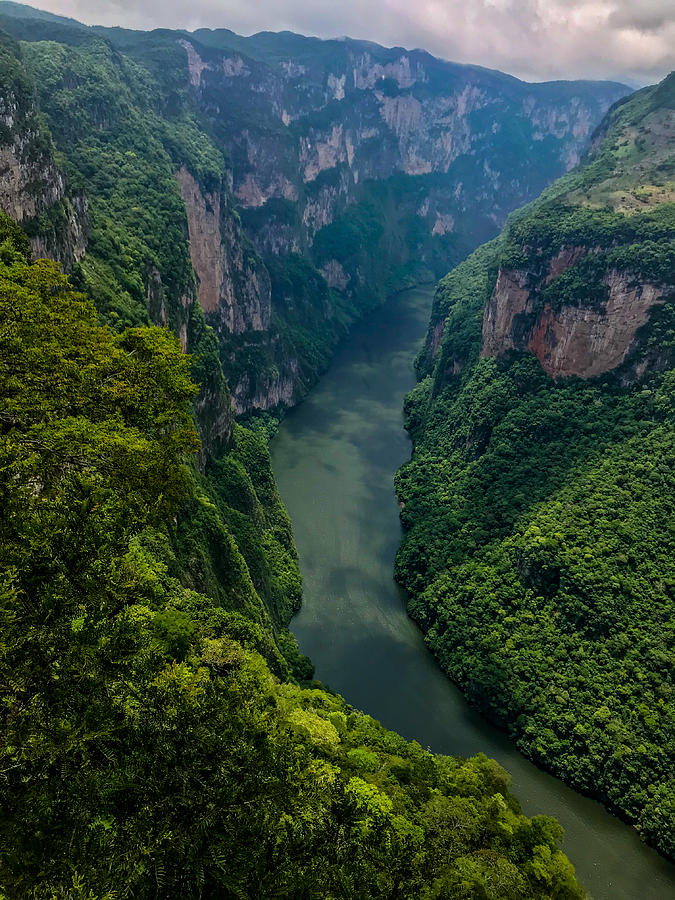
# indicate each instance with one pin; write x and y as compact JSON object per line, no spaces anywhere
{"x":309,"y":122}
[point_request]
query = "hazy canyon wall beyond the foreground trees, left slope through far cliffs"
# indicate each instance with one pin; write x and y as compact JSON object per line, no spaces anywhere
{"x":302,"y":180}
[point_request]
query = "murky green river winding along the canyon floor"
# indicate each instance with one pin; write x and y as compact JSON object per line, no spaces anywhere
{"x":334,"y":459}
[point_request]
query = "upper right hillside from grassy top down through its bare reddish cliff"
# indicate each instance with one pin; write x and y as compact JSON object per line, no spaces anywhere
{"x":598,"y":256}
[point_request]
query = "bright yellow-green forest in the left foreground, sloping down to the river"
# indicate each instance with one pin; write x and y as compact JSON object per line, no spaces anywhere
{"x":157,"y":741}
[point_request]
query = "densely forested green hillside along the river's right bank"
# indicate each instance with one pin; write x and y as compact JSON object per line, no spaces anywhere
{"x":540,"y":512}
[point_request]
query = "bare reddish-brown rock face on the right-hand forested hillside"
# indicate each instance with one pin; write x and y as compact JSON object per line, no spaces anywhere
{"x":583,"y":340}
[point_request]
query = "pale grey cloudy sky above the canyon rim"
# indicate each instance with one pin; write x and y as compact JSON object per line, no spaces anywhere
{"x":534,"y":39}
